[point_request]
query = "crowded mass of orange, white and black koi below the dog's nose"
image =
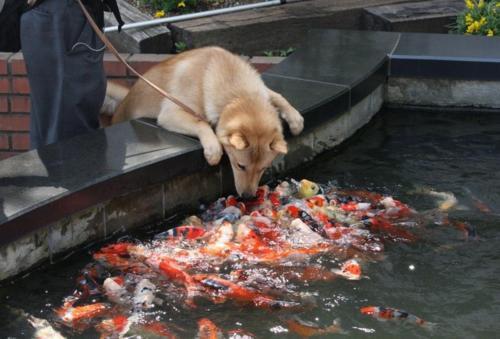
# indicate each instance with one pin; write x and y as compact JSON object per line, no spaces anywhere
{"x":244,"y":253}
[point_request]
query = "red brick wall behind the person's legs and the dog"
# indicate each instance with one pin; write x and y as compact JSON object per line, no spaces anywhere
{"x":15,"y":101}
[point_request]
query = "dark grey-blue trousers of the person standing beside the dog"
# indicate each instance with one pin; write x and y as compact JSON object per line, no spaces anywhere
{"x":65,"y":70}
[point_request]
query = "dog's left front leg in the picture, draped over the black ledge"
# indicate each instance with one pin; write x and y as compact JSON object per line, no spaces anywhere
{"x":177,"y":120}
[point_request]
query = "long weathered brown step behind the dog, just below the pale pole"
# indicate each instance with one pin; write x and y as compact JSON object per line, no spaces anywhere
{"x":279,"y":27}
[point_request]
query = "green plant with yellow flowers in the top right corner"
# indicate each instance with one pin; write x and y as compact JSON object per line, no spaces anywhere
{"x":480,"y":18}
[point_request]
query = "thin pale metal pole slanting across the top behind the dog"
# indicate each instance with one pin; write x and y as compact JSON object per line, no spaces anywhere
{"x":177,"y":18}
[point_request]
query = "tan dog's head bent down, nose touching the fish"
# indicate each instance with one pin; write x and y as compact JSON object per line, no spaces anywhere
{"x":251,"y":133}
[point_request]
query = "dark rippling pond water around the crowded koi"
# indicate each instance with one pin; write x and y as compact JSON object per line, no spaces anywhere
{"x":441,"y":278}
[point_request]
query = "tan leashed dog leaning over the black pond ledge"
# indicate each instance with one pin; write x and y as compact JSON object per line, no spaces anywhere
{"x":242,"y":115}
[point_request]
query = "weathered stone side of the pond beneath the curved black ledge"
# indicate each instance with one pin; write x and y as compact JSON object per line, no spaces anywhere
{"x":184,"y":193}
